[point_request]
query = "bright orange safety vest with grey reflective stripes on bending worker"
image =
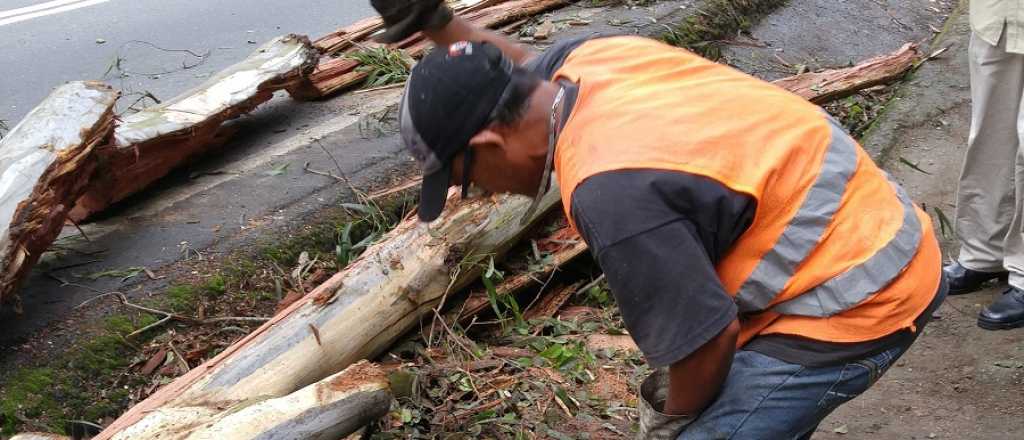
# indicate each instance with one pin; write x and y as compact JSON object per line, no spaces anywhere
{"x":837,"y":252}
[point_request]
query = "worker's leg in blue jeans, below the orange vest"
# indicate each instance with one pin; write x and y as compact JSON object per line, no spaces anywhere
{"x":769,"y":399}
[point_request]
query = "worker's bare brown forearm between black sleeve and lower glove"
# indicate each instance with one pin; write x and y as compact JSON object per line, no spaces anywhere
{"x":696,"y":380}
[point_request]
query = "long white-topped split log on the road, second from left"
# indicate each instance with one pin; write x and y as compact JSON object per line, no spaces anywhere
{"x":152,"y":143}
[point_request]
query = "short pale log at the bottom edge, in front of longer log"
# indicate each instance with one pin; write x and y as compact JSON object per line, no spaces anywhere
{"x":327,"y":410}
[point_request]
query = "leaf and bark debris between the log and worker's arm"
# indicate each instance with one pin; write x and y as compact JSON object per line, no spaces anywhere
{"x":551,"y":361}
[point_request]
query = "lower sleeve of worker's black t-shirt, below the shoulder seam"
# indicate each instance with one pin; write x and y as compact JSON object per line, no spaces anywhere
{"x":668,"y":291}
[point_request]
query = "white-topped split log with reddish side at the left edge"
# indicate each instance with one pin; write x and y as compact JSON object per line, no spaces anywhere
{"x":46,"y":162}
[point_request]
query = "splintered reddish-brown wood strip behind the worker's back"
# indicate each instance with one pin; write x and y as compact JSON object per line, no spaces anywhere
{"x":821,"y":87}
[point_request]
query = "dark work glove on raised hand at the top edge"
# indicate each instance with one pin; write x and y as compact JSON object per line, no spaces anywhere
{"x":405,"y":18}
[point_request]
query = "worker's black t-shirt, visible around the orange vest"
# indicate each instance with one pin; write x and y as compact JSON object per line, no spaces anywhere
{"x":658,"y":236}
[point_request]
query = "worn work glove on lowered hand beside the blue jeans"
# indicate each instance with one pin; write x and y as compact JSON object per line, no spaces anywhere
{"x":656,"y":425}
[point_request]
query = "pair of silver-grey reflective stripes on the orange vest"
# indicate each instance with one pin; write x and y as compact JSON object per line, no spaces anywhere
{"x":805,"y":231}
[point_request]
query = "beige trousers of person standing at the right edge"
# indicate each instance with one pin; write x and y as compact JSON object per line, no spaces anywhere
{"x":991,"y":197}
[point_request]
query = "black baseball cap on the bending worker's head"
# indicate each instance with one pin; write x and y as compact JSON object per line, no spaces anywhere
{"x":451,"y":97}
